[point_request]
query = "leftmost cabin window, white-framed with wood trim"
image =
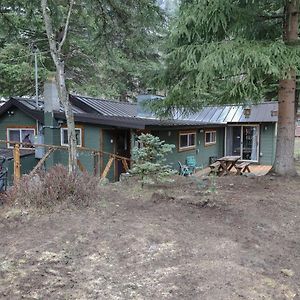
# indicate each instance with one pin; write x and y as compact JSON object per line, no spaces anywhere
{"x":25,"y":135}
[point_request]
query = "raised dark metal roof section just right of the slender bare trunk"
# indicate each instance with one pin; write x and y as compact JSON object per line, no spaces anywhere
{"x":105,"y":107}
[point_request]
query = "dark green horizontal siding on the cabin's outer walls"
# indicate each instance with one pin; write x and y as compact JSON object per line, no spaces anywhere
{"x":104,"y":138}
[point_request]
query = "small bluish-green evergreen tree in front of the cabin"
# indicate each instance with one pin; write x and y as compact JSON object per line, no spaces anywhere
{"x":149,"y":159}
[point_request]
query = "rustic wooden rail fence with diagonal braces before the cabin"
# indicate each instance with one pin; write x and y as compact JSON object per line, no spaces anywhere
{"x":51,"y":148}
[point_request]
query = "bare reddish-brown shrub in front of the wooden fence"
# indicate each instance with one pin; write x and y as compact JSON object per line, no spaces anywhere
{"x":48,"y":189}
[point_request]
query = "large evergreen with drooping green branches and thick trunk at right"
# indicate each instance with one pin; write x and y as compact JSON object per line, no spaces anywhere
{"x":236,"y":51}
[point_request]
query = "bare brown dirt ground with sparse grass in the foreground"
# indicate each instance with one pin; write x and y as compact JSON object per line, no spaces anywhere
{"x":237,"y":238}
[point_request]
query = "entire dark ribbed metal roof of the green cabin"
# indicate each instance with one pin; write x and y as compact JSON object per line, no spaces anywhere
{"x":122,"y":114}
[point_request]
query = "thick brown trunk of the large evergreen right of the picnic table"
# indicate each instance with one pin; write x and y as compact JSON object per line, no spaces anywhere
{"x":284,"y":160}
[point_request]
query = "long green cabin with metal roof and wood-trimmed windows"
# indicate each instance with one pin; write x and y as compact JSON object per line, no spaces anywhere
{"x":112,"y":127}
